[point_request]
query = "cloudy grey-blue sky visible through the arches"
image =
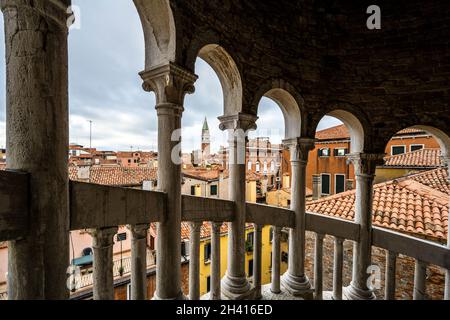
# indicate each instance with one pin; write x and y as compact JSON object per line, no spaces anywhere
{"x":104,"y":60}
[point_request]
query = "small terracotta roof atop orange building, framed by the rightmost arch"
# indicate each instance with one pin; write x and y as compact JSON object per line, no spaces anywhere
{"x":420,"y":158}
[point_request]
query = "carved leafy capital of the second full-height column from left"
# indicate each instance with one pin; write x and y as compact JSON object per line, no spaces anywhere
{"x":169,"y":82}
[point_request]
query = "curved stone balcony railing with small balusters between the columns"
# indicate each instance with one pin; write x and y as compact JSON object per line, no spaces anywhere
{"x":102,"y":209}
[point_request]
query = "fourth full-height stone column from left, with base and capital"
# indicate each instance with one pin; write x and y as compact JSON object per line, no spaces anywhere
{"x":295,"y":280}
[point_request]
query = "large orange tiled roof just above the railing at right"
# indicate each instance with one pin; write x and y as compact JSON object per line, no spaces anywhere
{"x":406,"y":206}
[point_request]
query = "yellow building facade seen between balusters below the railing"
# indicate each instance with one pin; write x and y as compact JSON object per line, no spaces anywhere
{"x":266,"y":263}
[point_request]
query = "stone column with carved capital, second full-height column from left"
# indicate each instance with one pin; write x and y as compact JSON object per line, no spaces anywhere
{"x":170,"y":84}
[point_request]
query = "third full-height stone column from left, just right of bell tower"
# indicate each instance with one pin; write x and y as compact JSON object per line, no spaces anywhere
{"x":235,"y":285}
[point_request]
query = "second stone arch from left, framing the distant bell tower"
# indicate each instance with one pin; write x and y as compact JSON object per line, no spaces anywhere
{"x":229,"y":76}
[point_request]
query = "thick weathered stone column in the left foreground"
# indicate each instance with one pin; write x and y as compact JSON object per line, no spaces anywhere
{"x":37,"y":135}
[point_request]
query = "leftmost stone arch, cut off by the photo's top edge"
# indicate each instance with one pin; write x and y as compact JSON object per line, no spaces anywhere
{"x":159,"y":31}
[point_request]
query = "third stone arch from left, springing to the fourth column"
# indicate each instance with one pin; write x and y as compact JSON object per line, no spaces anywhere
{"x":290,"y":103}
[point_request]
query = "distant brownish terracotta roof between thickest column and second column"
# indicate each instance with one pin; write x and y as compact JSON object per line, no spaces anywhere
{"x":116,"y":176}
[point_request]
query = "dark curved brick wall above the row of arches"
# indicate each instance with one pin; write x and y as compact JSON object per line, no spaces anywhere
{"x":390,"y":78}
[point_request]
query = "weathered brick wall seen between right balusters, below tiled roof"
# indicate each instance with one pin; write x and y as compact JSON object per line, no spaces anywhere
{"x":404,"y":273}
